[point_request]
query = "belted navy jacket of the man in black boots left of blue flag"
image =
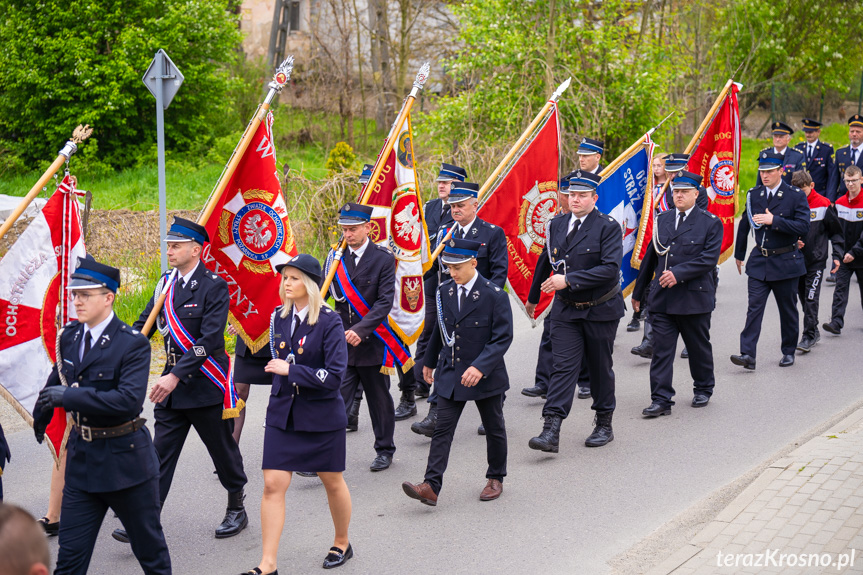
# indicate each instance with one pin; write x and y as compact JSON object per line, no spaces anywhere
{"x":592,"y":263}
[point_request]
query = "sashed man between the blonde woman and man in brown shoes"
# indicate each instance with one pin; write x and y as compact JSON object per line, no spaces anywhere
{"x":364,"y":288}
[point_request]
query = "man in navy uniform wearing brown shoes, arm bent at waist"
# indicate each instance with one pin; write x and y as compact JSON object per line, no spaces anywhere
{"x":475,"y":323}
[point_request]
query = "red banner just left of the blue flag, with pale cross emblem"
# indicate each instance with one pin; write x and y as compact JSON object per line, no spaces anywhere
{"x":522,"y":204}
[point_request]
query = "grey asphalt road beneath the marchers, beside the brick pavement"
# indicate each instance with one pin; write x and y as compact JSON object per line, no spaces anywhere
{"x":568,"y":513}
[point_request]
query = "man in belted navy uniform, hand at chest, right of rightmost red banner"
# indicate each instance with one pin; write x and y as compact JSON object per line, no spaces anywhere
{"x":778,"y":215}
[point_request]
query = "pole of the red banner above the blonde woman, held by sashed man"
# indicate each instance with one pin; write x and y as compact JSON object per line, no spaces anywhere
{"x":280,"y":78}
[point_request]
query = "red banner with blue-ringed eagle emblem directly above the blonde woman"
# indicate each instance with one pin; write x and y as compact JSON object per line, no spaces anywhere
{"x":250,"y":234}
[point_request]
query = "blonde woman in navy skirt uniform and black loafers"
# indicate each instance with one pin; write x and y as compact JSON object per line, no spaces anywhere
{"x":310,"y":356}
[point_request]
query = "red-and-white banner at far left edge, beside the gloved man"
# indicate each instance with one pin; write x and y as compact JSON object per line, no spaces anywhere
{"x":33,"y":303}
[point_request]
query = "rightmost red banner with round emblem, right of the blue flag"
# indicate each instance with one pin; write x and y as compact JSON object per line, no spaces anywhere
{"x":717,"y":160}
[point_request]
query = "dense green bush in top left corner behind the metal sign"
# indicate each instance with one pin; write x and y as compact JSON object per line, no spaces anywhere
{"x":70,"y":63}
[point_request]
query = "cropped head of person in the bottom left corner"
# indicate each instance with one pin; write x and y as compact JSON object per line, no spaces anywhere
{"x":23,"y":547}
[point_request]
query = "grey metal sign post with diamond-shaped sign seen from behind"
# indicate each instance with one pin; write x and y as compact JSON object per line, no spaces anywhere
{"x":163,"y":79}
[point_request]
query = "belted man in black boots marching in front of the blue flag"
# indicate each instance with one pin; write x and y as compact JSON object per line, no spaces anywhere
{"x":585,"y":251}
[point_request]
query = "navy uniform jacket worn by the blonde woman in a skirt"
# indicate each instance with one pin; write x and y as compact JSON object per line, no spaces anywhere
{"x":311,"y":392}
